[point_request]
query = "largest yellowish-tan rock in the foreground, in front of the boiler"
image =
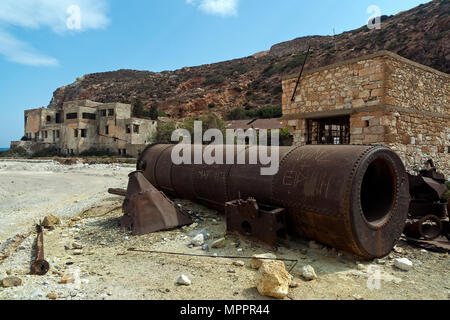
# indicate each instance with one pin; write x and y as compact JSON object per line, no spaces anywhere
{"x":273,"y":280}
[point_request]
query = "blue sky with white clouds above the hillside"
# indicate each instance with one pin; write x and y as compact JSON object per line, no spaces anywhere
{"x":45,"y":44}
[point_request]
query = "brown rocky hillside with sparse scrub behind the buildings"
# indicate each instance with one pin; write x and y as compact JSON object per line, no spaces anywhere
{"x":421,"y":34}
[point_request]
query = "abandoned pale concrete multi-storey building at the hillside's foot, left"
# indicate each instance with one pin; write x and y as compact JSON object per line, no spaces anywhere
{"x":82,"y":125}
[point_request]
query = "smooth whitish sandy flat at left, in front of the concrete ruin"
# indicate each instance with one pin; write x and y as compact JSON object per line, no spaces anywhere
{"x":30,"y":190}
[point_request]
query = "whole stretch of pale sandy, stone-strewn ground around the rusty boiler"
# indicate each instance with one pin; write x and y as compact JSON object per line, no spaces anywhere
{"x":106,"y":270}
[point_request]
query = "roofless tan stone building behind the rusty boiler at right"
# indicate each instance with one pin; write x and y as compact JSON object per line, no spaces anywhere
{"x":380,"y":98}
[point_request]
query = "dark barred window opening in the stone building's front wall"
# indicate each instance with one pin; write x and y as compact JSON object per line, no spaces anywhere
{"x":329,"y":131}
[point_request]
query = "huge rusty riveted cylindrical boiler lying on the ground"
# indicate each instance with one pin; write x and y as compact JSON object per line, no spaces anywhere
{"x":353,"y":198}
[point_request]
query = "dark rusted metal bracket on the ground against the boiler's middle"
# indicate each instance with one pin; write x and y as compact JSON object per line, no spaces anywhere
{"x":256,"y":222}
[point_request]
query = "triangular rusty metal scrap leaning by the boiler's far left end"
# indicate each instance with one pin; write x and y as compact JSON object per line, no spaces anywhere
{"x":147,"y":210}
